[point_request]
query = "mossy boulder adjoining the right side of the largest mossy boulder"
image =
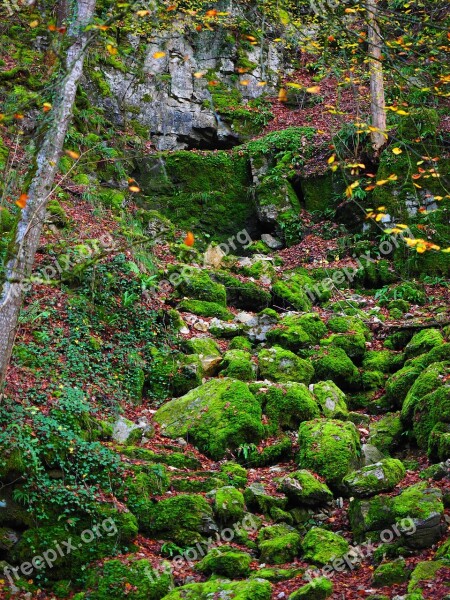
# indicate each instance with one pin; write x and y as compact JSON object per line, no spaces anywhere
{"x":287,"y":405}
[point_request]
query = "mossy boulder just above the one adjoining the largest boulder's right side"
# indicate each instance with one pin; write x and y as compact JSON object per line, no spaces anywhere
{"x":277,"y":364}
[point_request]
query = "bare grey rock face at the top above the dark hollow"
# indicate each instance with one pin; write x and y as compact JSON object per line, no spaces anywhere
{"x":179,"y":109}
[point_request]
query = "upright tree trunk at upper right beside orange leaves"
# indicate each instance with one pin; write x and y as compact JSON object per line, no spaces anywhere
{"x":377,"y":97}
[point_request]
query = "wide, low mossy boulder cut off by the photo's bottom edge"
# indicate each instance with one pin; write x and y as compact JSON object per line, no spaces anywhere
{"x":252,"y":589}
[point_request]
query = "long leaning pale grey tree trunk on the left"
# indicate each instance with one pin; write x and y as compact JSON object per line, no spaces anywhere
{"x":33,"y":216}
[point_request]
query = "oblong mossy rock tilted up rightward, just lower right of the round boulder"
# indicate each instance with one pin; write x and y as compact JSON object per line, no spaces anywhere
{"x":382,"y":476}
